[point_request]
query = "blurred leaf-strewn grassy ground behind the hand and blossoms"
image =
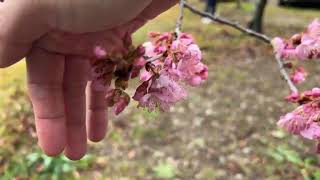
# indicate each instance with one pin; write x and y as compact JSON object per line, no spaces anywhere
{"x":226,"y":129}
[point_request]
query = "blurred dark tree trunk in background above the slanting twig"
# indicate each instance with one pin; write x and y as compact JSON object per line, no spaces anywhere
{"x":257,"y":21}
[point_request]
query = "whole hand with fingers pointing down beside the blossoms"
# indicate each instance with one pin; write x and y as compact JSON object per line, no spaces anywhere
{"x":57,"y":38}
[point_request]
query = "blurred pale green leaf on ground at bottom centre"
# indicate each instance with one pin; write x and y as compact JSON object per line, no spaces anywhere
{"x":165,"y":170}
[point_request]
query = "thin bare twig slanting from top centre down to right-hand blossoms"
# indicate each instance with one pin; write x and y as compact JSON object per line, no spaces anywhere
{"x":224,"y":21}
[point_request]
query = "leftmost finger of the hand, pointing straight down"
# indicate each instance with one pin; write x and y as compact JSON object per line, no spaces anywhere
{"x":45,"y":86}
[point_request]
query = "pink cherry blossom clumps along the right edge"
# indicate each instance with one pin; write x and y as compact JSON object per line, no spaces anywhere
{"x":304,"y":120}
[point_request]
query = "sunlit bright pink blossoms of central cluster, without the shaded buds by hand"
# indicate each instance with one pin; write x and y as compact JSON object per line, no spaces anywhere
{"x":163,"y":78}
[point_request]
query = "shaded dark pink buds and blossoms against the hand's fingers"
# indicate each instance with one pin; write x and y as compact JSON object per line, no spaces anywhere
{"x":117,"y":69}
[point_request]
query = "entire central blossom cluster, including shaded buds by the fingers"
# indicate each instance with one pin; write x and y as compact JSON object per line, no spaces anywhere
{"x":167,"y":62}
